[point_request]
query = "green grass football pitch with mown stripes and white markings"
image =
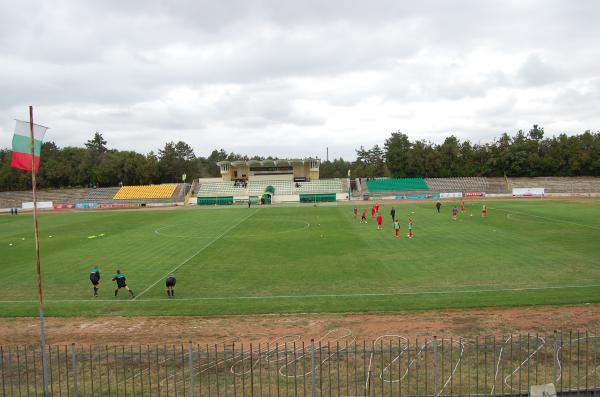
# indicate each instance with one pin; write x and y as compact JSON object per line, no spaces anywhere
{"x":286,"y":259}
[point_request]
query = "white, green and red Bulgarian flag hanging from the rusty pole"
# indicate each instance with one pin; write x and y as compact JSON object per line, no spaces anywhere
{"x":21,"y":156}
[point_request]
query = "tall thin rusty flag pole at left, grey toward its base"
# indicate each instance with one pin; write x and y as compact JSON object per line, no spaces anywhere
{"x":37,"y":257}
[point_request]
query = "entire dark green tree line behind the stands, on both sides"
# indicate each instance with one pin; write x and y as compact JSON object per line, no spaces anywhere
{"x":523,"y":154}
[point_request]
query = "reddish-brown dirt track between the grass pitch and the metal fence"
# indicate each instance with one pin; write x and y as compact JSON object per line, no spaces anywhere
{"x":466,"y":323}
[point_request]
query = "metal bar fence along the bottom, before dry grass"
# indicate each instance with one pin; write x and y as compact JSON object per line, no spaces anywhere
{"x":390,"y":365}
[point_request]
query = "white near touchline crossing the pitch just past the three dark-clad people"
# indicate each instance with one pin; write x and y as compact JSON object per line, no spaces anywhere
{"x":475,"y":291}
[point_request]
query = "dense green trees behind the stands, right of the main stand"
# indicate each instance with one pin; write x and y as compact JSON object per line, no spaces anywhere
{"x":525,"y":154}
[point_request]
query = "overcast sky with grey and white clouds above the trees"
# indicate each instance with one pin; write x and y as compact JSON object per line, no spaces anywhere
{"x":289,"y":78}
